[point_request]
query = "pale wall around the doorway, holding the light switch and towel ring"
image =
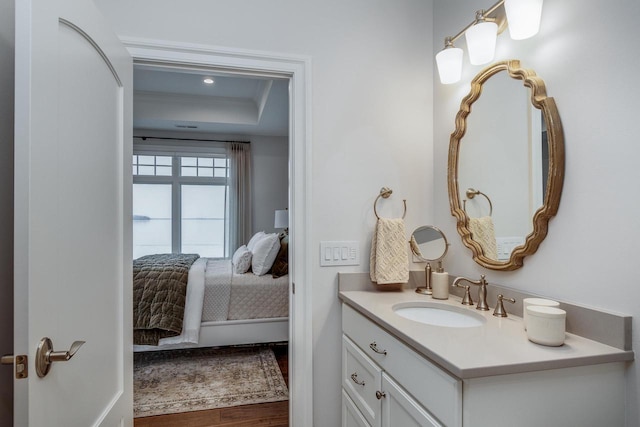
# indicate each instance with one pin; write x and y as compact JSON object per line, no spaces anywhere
{"x":371,"y":110}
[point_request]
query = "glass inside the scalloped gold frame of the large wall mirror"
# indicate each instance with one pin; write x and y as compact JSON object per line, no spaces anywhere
{"x":503,"y":113}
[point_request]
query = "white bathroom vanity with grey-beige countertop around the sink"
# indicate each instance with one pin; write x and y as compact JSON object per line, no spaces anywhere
{"x":401,"y":372}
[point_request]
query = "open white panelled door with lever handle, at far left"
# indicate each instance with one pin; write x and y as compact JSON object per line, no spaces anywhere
{"x":72,"y":215}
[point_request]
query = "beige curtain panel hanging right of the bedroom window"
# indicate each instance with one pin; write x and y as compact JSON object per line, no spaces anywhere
{"x":240,"y":218}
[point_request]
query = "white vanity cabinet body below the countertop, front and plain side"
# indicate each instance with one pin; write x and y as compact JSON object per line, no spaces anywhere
{"x":416,"y":392}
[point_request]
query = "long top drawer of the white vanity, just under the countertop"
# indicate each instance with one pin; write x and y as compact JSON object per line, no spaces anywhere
{"x":435,"y":389}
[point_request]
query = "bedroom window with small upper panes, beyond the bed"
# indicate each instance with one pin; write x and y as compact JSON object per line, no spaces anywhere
{"x":181,"y":204}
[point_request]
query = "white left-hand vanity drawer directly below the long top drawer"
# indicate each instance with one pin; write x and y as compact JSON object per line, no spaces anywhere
{"x":361,"y":378}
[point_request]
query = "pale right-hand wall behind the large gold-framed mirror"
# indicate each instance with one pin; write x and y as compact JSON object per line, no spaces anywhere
{"x":586,"y":52}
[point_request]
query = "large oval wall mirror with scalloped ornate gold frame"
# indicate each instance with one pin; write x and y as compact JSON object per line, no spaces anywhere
{"x":506,"y":165}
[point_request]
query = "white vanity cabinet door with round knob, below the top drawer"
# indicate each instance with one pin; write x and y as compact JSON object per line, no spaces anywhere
{"x":399,"y":408}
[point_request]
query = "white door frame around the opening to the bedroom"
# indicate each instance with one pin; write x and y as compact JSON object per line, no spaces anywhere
{"x":298,"y":70}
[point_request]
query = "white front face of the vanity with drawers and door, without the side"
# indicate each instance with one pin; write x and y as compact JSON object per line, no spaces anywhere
{"x":385,"y":383}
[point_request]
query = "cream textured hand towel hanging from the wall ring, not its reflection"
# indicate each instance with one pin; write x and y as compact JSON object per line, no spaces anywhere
{"x":389,"y":261}
